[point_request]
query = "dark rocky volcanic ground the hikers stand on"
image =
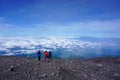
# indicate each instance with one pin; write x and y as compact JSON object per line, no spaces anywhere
{"x":17,"y":68}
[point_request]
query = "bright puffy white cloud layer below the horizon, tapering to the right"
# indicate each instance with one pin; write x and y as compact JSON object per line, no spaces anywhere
{"x":28,"y":45}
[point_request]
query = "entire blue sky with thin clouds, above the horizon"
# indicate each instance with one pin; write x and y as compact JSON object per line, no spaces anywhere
{"x":64,"y":18}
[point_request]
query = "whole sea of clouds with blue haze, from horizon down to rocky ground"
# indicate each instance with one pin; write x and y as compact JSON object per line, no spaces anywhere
{"x":60,"y":47}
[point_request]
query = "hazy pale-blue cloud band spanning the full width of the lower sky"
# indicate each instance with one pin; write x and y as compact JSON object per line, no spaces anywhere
{"x":107,"y":28}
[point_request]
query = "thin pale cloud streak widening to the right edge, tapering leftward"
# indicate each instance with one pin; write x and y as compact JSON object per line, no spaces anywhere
{"x":108,"y":28}
